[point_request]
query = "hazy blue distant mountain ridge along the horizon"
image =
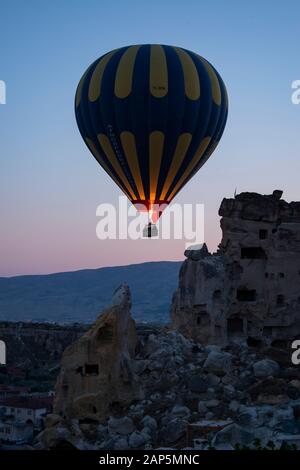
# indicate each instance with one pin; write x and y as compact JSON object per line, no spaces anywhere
{"x":79,"y":296}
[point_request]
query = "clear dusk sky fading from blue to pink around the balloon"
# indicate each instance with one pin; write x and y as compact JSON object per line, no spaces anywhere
{"x":50,"y":185}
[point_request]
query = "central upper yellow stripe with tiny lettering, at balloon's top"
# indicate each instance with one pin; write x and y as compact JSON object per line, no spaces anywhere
{"x":158,"y":72}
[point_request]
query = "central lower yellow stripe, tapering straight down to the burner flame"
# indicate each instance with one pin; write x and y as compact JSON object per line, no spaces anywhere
{"x":156,"y":146}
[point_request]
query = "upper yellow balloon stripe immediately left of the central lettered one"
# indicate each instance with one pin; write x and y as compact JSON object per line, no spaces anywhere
{"x":124,"y":75}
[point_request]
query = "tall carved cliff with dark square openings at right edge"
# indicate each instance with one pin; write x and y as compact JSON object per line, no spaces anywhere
{"x":249,"y":289}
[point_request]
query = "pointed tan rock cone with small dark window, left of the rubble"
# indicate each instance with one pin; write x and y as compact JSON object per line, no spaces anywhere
{"x":96,"y":370}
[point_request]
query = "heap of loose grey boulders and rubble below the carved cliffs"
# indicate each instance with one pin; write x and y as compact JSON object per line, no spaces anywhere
{"x":229,"y":390}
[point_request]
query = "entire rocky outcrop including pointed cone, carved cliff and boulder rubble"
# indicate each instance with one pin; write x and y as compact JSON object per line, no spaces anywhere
{"x":168,"y":389}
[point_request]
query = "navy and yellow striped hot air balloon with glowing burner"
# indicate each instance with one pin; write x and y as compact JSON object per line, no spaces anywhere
{"x":151,"y":115}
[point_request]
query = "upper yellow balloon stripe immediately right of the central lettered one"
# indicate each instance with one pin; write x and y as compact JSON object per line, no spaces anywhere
{"x":190,"y":73}
